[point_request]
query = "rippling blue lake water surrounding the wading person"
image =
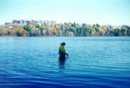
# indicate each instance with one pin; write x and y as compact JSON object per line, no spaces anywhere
{"x":94,"y":62}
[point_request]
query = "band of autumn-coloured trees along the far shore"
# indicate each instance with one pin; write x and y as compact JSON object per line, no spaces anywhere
{"x":66,"y":29}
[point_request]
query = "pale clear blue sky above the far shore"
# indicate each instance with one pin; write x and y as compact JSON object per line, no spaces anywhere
{"x":103,"y":12}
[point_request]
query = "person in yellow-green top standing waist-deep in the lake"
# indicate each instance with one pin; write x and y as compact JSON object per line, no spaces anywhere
{"x":62,"y":54}
